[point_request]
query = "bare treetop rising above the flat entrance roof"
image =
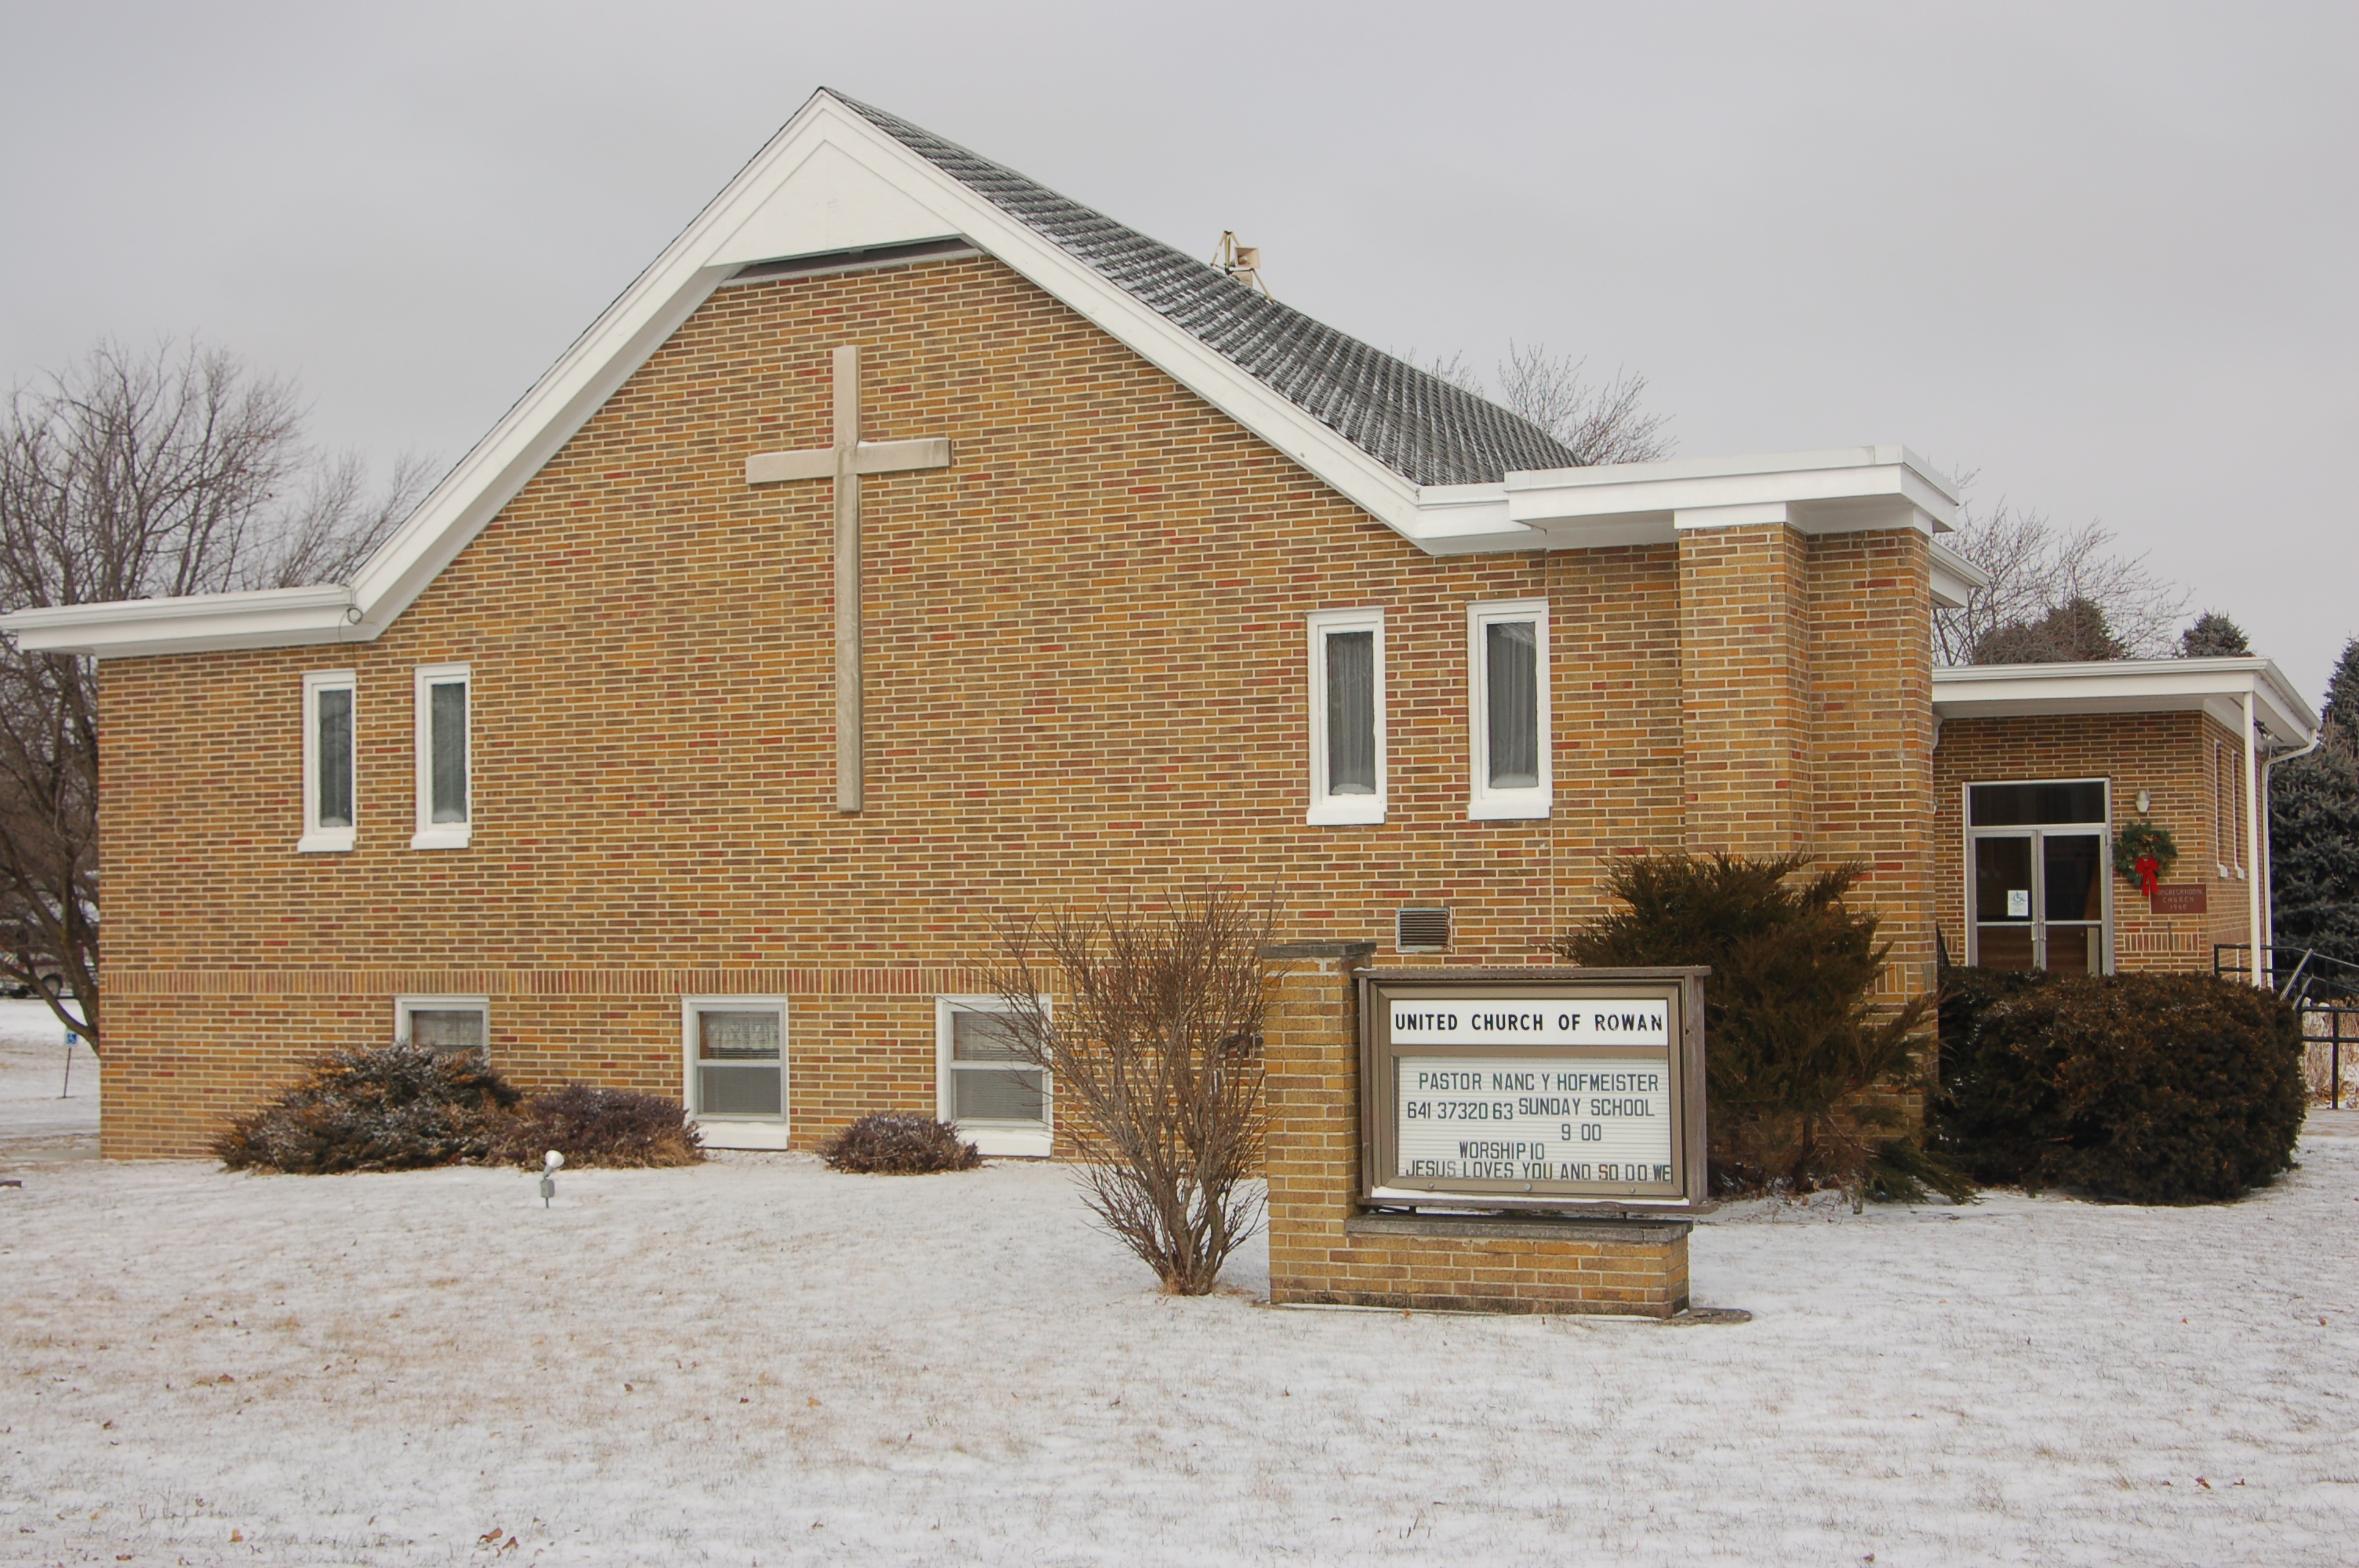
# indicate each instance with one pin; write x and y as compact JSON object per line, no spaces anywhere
{"x":2042,"y":577}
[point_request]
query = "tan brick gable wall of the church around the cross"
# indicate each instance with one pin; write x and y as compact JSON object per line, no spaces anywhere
{"x":1086,"y":680}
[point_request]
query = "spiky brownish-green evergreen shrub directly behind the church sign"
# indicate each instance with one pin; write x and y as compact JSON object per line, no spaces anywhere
{"x":1799,"y":1055}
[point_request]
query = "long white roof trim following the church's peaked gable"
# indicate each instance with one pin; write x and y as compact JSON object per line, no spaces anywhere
{"x":834,"y":183}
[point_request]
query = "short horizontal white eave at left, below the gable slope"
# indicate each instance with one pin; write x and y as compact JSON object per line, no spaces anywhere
{"x":265,"y":619}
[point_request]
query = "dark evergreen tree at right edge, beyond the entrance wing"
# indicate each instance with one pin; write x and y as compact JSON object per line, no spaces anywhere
{"x":2315,"y":829}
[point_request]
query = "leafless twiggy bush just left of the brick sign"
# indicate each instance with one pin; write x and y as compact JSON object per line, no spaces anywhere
{"x":1152,"y":1034}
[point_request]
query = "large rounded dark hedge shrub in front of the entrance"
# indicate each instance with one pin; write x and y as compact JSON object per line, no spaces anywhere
{"x":2155,"y":1088}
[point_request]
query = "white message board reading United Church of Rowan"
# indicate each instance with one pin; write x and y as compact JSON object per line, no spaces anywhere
{"x":1535,"y":1119}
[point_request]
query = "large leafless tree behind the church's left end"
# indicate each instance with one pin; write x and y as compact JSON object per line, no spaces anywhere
{"x":136,"y":477}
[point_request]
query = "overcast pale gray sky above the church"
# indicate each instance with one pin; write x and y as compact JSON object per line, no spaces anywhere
{"x":2098,"y":253}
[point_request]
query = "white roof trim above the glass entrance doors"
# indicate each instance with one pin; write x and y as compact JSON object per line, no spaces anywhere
{"x":2134,"y":685}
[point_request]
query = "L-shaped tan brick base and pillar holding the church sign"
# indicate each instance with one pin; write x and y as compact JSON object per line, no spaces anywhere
{"x":1327,"y":1251}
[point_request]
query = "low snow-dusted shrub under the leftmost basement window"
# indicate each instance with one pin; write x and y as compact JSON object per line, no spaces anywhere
{"x":395,"y":1107}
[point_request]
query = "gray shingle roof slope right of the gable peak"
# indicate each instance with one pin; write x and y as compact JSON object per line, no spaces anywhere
{"x":1410,"y":421}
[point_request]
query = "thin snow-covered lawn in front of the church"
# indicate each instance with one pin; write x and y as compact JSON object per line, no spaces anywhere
{"x":761,"y":1362}
